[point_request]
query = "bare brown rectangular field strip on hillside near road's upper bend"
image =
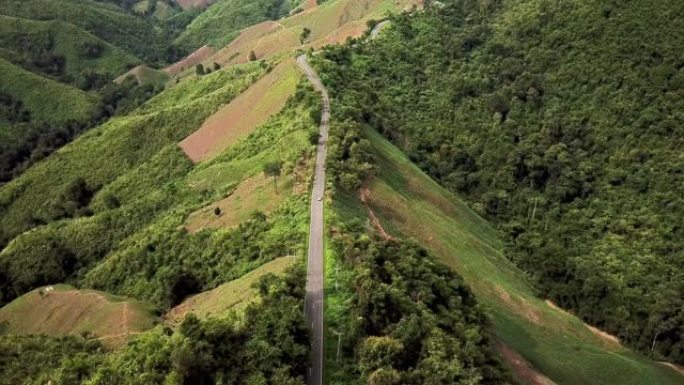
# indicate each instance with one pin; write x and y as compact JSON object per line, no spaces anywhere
{"x":246,"y":112}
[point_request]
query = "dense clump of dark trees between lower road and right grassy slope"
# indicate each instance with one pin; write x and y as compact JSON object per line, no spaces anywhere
{"x":407,"y":318}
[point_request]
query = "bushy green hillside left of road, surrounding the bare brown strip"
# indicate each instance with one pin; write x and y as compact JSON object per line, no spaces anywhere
{"x":118,"y":224}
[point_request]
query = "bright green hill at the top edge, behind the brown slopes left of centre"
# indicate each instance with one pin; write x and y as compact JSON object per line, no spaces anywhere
{"x":223,"y":20}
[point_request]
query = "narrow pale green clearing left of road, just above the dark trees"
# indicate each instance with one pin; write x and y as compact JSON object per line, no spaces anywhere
{"x":232,"y":295}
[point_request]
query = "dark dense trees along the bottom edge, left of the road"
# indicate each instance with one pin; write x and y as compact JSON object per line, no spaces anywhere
{"x":267,"y":345}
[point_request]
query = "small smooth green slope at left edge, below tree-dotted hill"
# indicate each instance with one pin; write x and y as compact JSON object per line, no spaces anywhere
{"x":55,"y":102}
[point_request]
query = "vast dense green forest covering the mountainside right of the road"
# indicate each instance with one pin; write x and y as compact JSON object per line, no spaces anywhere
{"x":561,"y":123}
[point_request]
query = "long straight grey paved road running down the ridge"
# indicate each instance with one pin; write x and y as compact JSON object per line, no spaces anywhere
{"x":314,"y":277}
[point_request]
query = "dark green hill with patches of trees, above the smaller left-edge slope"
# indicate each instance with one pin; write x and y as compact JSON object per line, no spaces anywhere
{"x":62,"y":51}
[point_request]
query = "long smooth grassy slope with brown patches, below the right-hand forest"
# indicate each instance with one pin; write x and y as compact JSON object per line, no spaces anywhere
{"x":408,"y":202}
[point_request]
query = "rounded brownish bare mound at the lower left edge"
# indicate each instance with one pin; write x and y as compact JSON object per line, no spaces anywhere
{"x":63,"y":310}
